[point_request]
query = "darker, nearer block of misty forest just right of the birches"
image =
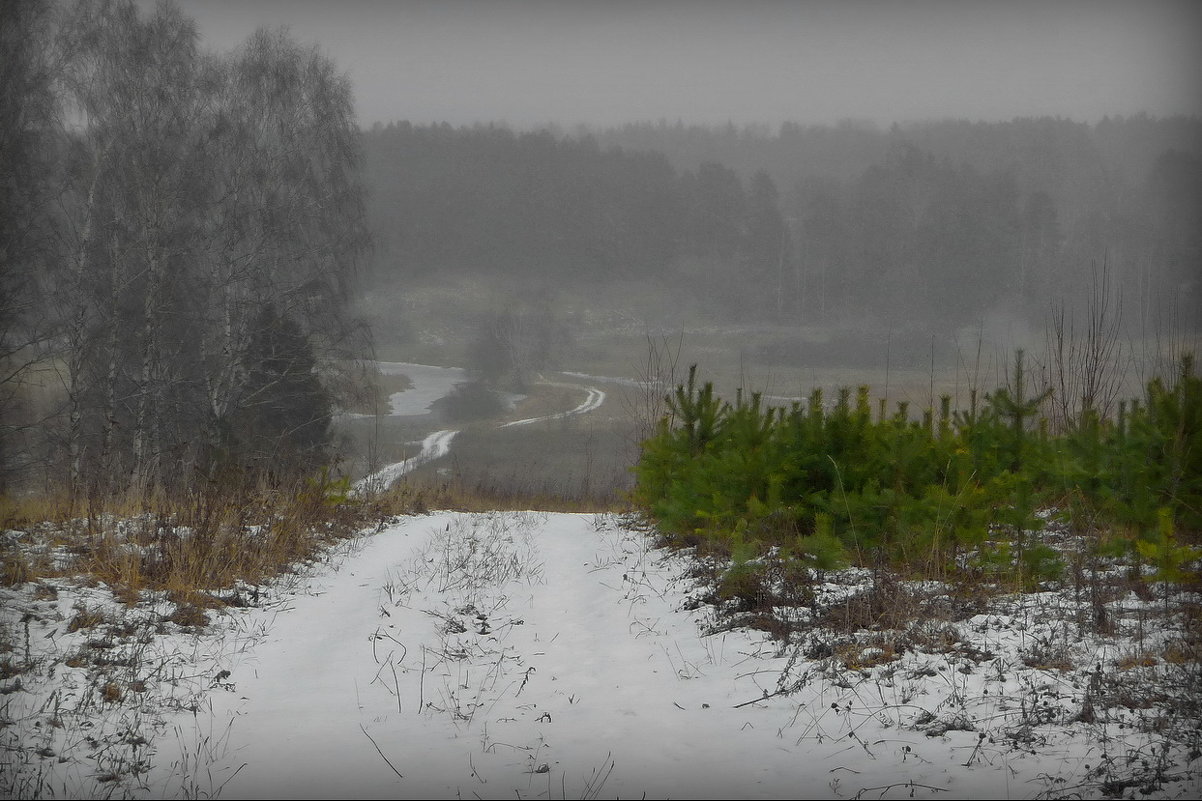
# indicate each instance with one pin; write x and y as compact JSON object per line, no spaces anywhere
{"x":537,"y":205}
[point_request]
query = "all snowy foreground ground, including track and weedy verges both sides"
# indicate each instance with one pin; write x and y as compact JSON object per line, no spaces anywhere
{"x":523,"y":655}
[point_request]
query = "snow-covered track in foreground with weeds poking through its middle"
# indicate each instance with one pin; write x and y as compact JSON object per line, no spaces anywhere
{"x":447,"y":654}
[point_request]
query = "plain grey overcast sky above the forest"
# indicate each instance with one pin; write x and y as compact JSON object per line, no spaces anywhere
{"x":533,"y":62}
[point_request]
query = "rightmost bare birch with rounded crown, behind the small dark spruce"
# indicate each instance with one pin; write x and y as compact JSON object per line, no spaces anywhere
{"x":290,"y":230}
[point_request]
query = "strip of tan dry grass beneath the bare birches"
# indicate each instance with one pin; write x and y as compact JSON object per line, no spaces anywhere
{"x":182,"y":547}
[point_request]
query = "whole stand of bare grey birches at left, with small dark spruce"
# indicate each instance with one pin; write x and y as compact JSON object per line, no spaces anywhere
{"x":182,"y":230}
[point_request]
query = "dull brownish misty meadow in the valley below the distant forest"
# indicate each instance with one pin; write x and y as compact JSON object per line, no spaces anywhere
{"x":636,"y":343}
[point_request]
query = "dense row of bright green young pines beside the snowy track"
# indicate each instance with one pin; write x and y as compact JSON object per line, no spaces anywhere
{"x":955,"y":493}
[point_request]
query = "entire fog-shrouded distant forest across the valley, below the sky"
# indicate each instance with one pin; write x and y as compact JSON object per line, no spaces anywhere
{"x":937,"y":222}
